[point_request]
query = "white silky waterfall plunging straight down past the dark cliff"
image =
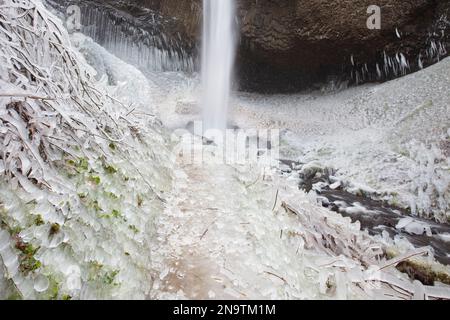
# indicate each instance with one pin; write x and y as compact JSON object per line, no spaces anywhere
{"x":217,"y":61}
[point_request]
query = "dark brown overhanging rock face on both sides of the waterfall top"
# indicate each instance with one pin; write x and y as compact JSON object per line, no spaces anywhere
{"x":288,"y":45}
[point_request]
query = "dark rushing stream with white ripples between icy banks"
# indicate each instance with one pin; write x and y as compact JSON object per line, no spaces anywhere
{"x":378,"y":216}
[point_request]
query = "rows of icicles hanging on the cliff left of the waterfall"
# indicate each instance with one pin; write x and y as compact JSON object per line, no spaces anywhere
{"x":145,"y":47}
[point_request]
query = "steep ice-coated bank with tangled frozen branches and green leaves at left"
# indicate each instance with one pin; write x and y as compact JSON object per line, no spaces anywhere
{"x":83,"y":174}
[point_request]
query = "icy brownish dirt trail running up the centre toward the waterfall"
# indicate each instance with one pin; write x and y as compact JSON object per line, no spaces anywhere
{"x":190,"y":226}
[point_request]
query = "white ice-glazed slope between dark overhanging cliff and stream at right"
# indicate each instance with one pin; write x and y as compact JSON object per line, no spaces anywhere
{"x":392,"y":138}
